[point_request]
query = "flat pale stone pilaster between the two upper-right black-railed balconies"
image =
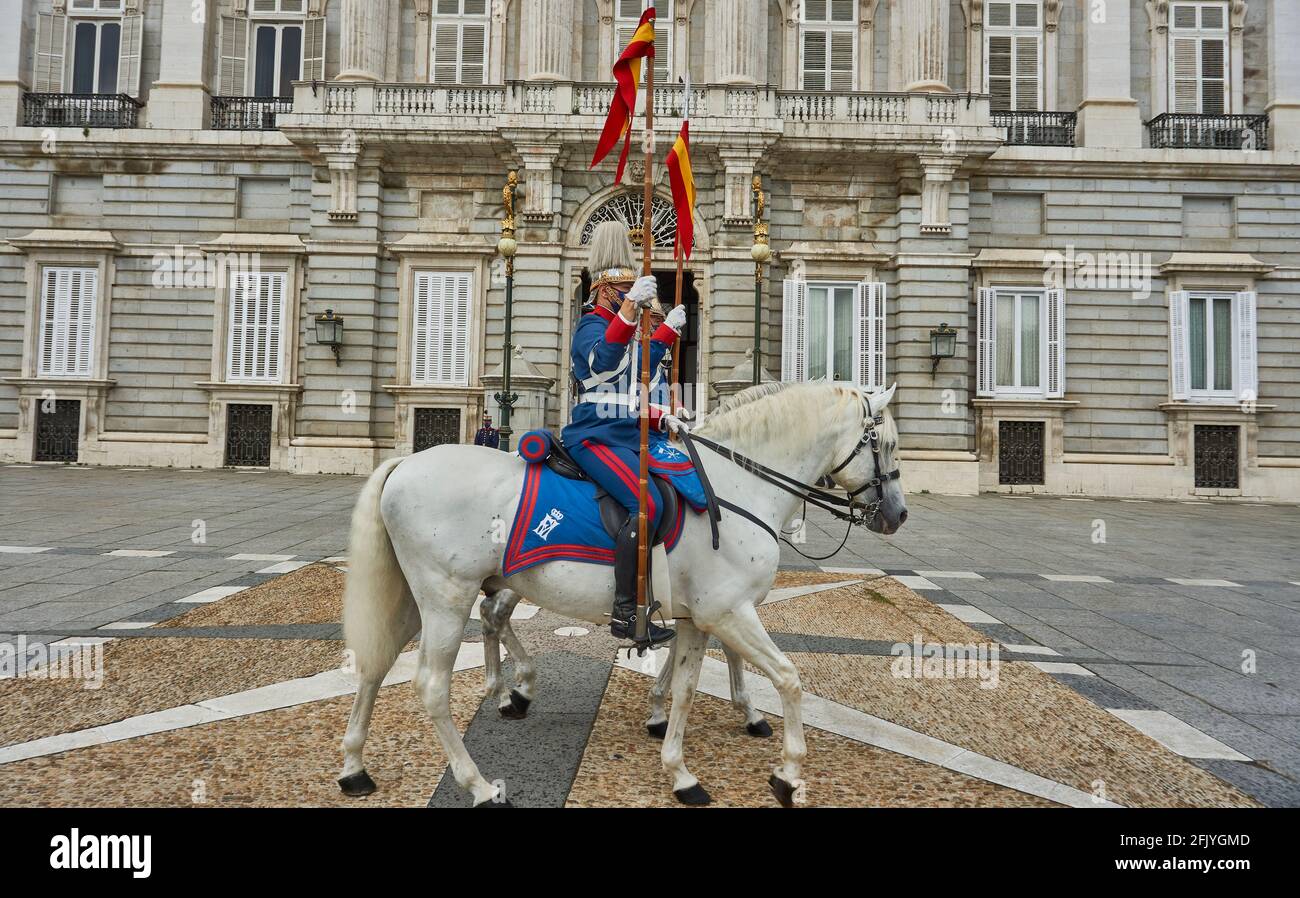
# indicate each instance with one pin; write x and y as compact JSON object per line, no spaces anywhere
{"x":1110,"y":115}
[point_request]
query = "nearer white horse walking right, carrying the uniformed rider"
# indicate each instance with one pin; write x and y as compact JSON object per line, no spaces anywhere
{"x":427,"y":537}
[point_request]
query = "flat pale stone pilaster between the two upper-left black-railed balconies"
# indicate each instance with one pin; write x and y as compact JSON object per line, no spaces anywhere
{"x":180,"y":98}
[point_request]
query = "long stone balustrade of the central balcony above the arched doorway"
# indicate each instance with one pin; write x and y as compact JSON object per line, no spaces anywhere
{"x":428,"y":114}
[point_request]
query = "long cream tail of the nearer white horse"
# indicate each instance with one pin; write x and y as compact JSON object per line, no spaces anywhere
{"x":379,"y":610}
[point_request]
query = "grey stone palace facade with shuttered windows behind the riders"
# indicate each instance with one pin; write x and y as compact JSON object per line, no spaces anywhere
{"x":1102,"y":198}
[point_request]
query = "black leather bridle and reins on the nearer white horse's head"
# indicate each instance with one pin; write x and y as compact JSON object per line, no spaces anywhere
{"x":848,"y":510}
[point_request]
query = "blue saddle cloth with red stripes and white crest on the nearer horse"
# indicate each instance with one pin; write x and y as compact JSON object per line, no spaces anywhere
{"x":560,"y":520}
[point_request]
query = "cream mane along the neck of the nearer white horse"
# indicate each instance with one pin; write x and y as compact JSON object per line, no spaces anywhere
{"x":783,"y":410}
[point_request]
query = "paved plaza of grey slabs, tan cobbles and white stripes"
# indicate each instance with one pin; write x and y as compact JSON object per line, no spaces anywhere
{"x":216,"y":596}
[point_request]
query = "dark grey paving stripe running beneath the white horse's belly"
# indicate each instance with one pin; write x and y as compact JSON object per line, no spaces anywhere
{"x":538,"y":758}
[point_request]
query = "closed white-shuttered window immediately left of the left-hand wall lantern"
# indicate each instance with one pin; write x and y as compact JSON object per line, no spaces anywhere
{"x":257,"y":327}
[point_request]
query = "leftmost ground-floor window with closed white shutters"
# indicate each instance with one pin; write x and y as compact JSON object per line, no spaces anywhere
{"x":68,"y":322}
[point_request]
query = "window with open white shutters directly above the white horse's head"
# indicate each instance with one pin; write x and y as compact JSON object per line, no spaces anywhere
{"x":834,"y":332}
